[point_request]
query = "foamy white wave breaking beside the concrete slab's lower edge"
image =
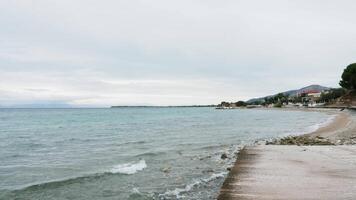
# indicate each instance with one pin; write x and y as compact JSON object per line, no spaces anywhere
{"x":177,"y":192}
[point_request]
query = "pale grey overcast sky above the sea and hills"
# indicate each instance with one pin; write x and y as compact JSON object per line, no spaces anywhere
{"x":164,"y":52}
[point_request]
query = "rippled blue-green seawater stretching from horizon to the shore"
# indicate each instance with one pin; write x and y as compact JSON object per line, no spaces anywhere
{"x":131,"y":153}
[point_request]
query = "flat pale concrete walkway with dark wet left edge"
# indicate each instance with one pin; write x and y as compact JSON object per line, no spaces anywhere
{"x":292,"y":172}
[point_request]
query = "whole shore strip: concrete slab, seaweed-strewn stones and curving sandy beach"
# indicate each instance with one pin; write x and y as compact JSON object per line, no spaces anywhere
{"x":322,"y":170}
